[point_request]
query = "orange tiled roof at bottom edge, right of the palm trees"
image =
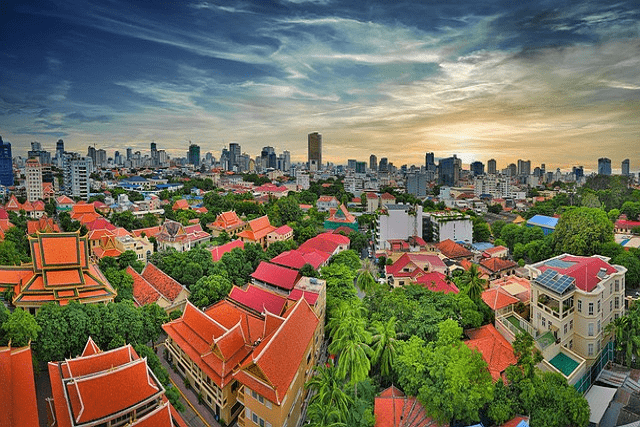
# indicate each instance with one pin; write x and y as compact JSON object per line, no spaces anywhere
{"x":393,"y":409}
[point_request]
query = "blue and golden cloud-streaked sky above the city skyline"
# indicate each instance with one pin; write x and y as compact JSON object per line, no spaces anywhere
{"x":553,"y":82}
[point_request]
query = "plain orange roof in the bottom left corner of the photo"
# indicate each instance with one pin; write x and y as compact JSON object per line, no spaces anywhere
{"x":17,"y":388}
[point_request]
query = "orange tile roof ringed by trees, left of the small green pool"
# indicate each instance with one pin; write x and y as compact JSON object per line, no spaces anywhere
{"x":494,"y":348}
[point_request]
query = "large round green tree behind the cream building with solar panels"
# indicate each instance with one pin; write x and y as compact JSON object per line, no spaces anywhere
{"x":582,"y":231}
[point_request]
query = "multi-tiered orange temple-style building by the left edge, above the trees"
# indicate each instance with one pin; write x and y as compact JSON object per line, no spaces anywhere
{"x":61,"y":271}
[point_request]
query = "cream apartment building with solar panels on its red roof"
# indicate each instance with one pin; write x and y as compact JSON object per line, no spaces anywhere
{"x":575,"y":298}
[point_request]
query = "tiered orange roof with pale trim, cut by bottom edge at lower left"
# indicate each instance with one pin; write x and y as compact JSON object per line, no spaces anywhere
{"x":108,"y":388}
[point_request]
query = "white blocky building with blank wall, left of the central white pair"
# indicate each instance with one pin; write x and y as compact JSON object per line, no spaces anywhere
{"x":398,"y":222}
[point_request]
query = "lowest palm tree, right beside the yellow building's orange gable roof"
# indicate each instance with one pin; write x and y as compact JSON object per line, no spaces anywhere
{"x":329,"y":391}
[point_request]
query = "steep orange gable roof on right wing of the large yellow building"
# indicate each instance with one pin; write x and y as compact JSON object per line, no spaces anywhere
{"x":288,"y":343}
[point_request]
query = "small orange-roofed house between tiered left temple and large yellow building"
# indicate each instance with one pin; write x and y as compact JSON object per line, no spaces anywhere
{"x":155,"y":286}
